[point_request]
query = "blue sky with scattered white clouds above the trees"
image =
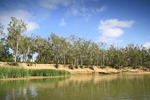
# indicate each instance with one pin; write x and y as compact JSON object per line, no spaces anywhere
{"x":117,"y":22}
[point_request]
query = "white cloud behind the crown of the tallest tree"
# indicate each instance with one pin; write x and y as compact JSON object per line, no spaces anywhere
{"x":19,"y":14}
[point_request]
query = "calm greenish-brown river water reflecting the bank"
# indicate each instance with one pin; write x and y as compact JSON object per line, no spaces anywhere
{"x":79,"y":87}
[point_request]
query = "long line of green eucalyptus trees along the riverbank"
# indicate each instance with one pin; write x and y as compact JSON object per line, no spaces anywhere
{"x":73,"y":51}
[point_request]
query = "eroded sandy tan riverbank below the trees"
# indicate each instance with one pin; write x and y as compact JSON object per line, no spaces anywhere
{"x":95,"y":70}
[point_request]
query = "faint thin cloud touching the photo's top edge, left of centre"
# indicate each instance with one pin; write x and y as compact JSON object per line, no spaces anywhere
{"x":53,"y":4}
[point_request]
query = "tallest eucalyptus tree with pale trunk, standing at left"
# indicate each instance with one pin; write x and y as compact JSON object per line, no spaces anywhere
{"x":16,"y":28}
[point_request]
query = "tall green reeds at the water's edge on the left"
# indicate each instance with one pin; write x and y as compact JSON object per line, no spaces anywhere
{"x":6,"y":72}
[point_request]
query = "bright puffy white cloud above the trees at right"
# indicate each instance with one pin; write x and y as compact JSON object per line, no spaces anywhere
{"x":111,"y":29}
